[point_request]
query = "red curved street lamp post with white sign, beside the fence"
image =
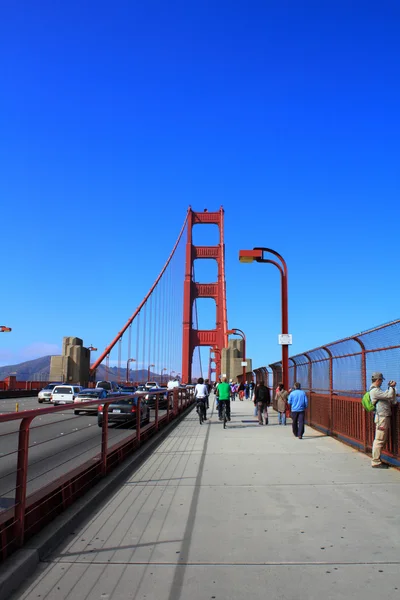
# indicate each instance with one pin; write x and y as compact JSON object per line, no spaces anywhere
{"x":257,"y":254}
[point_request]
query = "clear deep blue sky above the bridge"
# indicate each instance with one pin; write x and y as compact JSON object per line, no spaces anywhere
{"x":115,"y":117}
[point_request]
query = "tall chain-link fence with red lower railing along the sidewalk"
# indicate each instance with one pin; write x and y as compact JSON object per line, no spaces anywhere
{"x":336,"y":376}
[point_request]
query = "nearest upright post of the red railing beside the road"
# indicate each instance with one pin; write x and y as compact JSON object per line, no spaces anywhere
{"x":21,"y":483}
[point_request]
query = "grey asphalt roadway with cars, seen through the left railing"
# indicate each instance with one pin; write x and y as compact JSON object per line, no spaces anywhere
{"x":58,"y":443}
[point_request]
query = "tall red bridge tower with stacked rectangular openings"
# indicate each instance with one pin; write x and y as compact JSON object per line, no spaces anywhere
{"x":217,"y":337}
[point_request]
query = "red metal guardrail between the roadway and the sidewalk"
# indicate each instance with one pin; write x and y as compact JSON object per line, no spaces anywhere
{"x":40,"y":478}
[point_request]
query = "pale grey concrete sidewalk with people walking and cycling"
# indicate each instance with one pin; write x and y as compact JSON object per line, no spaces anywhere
{"x":246,"y":512}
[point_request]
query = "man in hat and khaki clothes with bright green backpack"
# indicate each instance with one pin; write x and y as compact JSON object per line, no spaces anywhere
{"x":383,"y":405}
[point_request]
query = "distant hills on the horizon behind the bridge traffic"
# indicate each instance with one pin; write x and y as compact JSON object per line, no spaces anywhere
{"x":39,"y":370}
